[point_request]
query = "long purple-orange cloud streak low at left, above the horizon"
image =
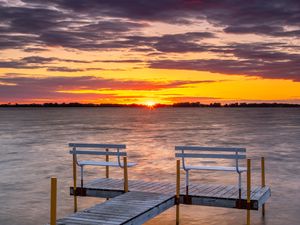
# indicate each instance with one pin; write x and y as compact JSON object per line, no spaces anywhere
{"x":26,"y":88}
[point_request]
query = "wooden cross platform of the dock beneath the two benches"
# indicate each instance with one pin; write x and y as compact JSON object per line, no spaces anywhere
{"x":199,"y":194}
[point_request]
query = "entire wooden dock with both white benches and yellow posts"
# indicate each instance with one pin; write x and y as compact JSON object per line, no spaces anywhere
{"x":135,"y":201}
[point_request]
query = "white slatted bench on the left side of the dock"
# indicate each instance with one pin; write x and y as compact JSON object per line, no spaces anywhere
{"x":116,"y":150}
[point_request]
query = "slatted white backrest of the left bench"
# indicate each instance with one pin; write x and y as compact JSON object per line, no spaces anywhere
{"x":102,"y":149}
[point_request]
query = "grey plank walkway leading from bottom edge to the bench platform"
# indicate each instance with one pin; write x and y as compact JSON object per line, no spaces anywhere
{"x":130,"y":208}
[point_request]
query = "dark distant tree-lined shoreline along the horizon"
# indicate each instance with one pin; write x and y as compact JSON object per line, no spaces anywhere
{"x":175,"y":105}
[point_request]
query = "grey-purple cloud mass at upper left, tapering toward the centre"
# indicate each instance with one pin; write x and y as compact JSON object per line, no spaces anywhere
{"x":43,"y":25}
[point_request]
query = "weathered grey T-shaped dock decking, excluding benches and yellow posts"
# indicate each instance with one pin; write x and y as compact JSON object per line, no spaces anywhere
{"x":145,"y":200}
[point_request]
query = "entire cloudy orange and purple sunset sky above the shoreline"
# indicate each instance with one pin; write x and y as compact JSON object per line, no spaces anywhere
{"x":141,"y":51}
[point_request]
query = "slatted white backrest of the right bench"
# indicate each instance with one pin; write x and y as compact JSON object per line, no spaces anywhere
{"x":209,"y":152}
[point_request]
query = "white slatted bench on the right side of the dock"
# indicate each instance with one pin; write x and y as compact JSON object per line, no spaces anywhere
{"x":237,"y":154}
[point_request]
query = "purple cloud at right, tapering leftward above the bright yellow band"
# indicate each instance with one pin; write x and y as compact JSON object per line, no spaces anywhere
{"x":256,"y":59}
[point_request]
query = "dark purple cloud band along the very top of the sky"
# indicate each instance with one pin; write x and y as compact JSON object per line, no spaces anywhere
{"x":227,"y":13}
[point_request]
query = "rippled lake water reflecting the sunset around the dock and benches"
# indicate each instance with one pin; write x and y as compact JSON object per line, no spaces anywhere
{"x":33,"y":147}
